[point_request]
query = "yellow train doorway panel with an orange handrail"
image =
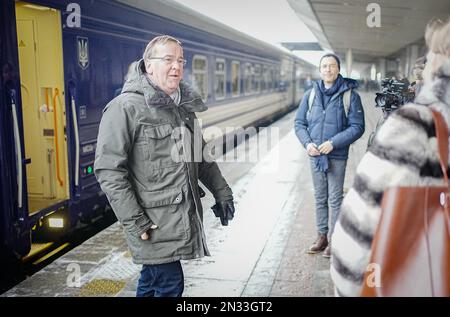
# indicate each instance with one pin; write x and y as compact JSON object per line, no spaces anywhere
{"x":39,"y":41}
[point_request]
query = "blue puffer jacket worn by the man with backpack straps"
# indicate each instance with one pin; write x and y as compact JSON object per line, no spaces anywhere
{"x":330,"y":123}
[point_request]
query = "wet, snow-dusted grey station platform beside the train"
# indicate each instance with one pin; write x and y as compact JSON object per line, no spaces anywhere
{"x":262,"y":253}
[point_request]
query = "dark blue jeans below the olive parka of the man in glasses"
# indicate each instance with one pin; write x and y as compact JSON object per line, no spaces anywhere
{"x":161,"y":280}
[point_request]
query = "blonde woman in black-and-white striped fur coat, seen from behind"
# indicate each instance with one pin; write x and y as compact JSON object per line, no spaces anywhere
{"x":403,"y":153}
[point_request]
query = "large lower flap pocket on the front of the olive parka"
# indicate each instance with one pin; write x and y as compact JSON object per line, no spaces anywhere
{"x":165,"y":208}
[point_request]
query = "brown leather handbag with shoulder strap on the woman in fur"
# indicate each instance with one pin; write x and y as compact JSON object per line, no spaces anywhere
{"x":411,"y":246}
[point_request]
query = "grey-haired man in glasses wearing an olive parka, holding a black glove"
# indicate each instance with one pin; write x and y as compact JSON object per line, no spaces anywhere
{"x":145,"y":163}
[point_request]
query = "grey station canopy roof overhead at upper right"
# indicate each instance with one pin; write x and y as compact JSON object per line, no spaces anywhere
{"x":341,"y":24}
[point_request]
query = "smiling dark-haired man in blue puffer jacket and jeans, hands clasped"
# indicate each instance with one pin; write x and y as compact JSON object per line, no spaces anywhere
{"x":329,"y":119}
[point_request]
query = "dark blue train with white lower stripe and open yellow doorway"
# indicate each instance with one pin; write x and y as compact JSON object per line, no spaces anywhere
{"x":62,"y":62}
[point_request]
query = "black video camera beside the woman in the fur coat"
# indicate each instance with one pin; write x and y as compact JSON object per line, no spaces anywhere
{"x":393,"y":95}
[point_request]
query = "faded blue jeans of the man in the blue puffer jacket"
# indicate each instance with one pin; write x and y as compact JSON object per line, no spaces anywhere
{"x":328,"y":188}
